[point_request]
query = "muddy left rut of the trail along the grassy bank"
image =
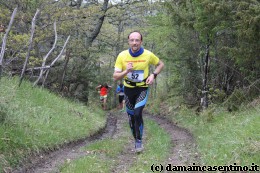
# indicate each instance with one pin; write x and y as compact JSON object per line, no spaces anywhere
{"x":50,"y":162}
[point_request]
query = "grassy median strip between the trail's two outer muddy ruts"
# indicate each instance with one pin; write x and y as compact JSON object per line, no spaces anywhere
{"x":103,"y":155}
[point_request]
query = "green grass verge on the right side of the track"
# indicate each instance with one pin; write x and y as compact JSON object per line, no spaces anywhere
{"x":224,"y":138}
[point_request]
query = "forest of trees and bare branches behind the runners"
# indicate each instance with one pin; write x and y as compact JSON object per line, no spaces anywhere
{"x":210,"y":48}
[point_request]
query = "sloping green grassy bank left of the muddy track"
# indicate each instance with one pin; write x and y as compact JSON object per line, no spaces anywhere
{"x":34,"y":119}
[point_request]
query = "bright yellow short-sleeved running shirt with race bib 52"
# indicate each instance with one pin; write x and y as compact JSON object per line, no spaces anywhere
{"x":140,"y":66}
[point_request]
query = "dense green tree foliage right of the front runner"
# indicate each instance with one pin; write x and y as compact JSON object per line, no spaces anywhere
{"x":230,"y":28}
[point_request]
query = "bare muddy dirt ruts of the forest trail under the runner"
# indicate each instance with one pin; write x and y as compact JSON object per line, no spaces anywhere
{"x":182,"y":151}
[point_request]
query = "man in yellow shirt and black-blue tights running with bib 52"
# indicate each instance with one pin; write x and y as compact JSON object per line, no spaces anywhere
{"x":133,"y":65}
